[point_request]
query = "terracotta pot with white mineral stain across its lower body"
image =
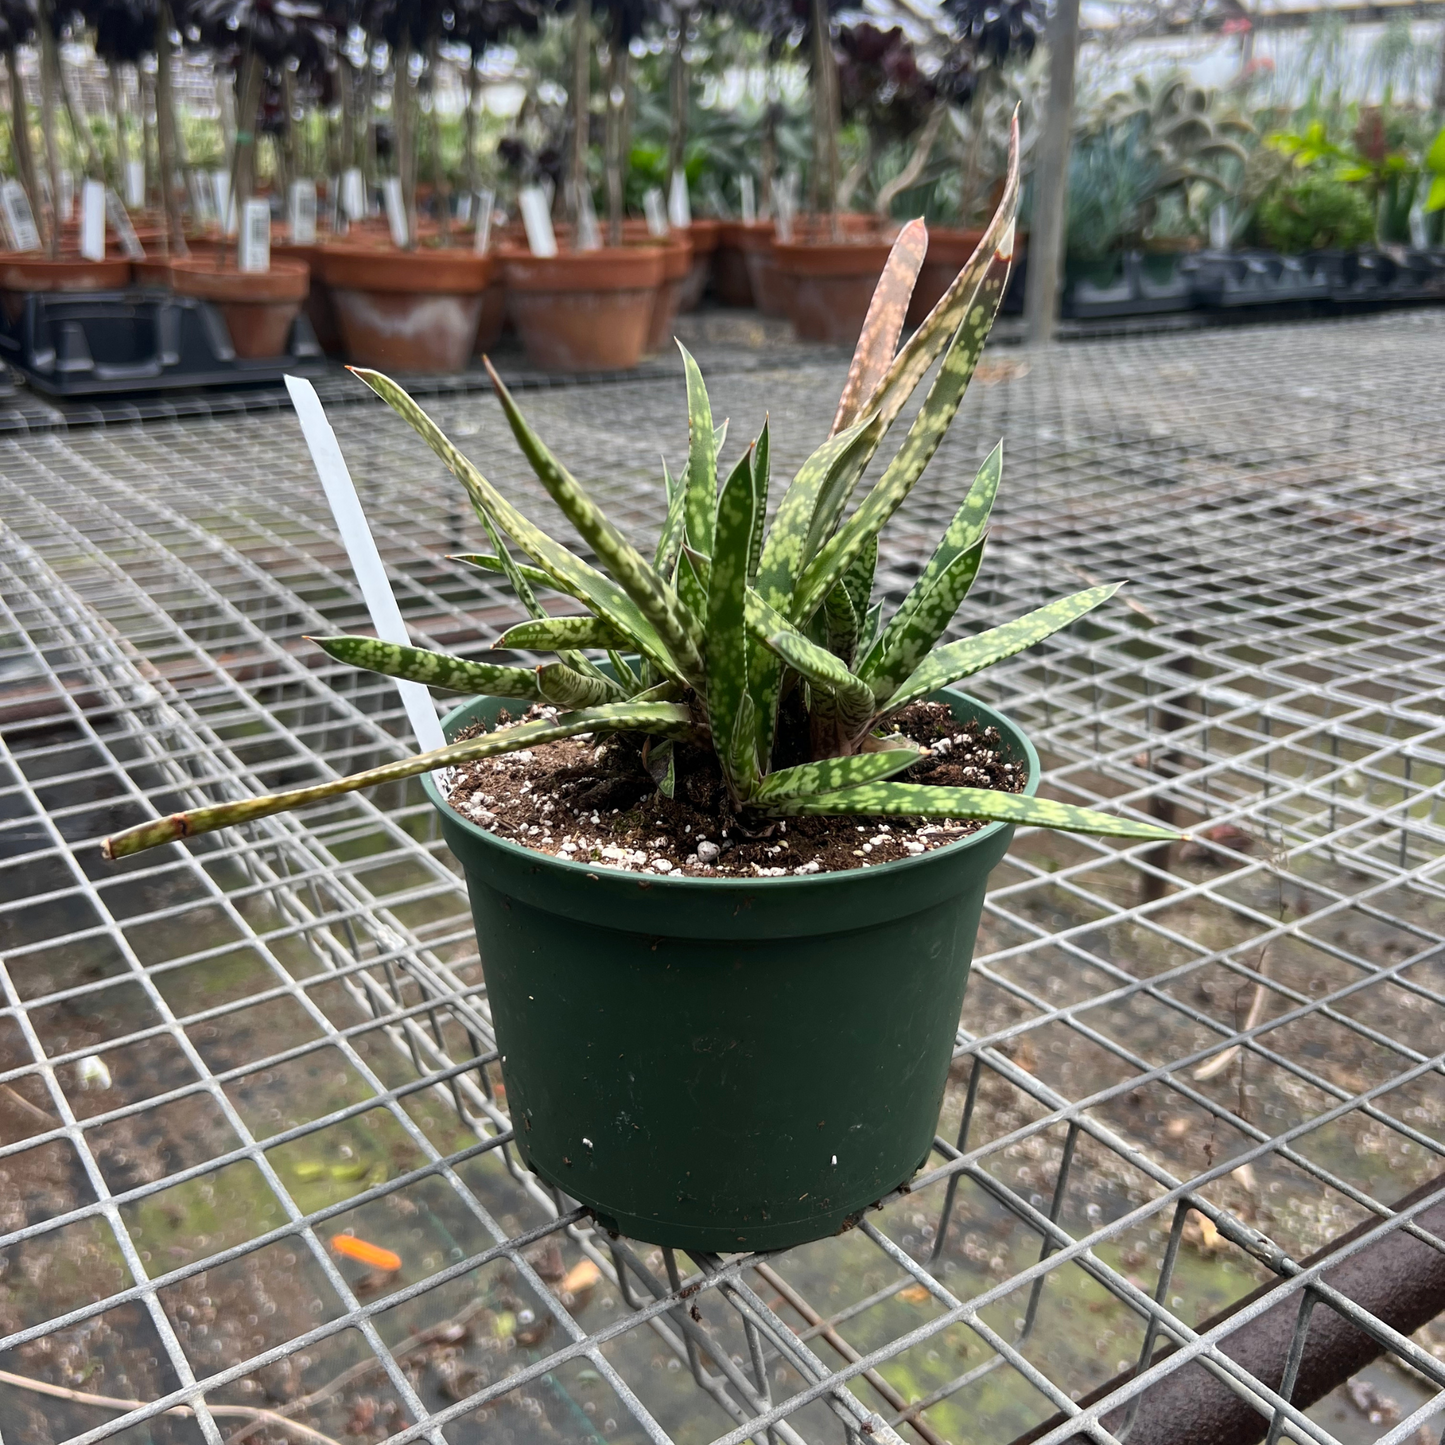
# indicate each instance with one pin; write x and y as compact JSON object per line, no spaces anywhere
{"x":407,"y":311}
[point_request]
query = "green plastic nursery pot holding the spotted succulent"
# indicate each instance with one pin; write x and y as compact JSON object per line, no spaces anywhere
{"x":726,"y":1064}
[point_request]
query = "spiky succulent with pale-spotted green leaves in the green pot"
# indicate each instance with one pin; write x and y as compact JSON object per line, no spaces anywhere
{"x":732,"y":621}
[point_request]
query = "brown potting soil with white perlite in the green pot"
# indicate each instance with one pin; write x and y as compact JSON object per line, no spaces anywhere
{"x":602,"y":806}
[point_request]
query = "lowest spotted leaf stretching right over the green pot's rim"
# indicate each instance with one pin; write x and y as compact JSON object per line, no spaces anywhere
{"x":985,"y":804}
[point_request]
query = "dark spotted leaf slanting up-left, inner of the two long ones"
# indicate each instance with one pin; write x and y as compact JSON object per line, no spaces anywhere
{"x":678,"y":629}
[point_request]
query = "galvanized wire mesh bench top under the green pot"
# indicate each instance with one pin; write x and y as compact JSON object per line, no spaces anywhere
{"x":1178,"y":1070}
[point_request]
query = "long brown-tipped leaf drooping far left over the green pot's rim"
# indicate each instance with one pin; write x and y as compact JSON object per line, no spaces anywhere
{"x":670,"y":720}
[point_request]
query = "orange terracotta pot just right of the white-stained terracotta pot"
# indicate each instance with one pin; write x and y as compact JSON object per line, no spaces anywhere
{"x":585,"y":311}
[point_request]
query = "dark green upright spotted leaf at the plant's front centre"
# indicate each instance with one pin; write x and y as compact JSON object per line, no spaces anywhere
{"x":728,"y":635}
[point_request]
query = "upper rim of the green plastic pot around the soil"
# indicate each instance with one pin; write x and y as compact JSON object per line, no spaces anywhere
{"x":897,"y":868}
